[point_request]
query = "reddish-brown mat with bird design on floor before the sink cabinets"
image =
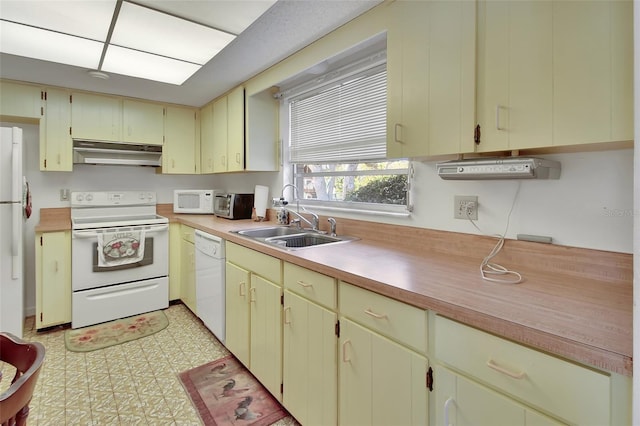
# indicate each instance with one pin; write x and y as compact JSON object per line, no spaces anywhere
{"x":226,"y":393}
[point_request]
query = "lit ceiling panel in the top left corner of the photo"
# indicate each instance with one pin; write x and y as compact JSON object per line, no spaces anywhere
{"x":89,"y":19}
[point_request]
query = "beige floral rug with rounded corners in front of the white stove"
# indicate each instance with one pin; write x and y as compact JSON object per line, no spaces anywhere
{"x":115,"y":332}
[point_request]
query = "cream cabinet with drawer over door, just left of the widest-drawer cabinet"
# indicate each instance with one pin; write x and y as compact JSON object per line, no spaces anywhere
{"x":382,"y":378}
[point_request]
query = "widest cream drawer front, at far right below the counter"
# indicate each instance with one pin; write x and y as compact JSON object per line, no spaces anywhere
{"x":574,"y":393}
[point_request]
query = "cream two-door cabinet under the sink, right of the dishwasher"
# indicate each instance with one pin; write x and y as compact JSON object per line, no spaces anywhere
{"x":254,"y":313}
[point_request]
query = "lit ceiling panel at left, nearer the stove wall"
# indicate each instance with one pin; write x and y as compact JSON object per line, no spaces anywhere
{"x":22,"y":40}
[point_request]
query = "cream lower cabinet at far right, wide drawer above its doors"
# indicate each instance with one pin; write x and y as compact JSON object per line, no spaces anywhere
{"x":527,"y":384}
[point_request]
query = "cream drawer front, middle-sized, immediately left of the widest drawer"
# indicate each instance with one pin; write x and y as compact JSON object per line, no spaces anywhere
{"x":394,"y":319}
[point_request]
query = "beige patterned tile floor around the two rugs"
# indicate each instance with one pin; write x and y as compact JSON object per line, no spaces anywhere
{"x":134,"y":383}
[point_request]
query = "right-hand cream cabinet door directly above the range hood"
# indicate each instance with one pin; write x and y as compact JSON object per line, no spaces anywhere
{"x":143,"y":122}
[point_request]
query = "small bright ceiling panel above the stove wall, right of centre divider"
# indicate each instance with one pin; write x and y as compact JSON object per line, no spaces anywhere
{"x":145,"y":65}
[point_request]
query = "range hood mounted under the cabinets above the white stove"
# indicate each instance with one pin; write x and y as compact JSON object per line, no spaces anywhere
{"x":115,"y":153}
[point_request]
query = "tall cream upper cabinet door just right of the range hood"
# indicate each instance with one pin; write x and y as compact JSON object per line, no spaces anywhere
{"x":179,"y":149}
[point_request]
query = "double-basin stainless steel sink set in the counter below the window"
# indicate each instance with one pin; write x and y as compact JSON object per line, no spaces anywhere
{"x":292,"y":238}
